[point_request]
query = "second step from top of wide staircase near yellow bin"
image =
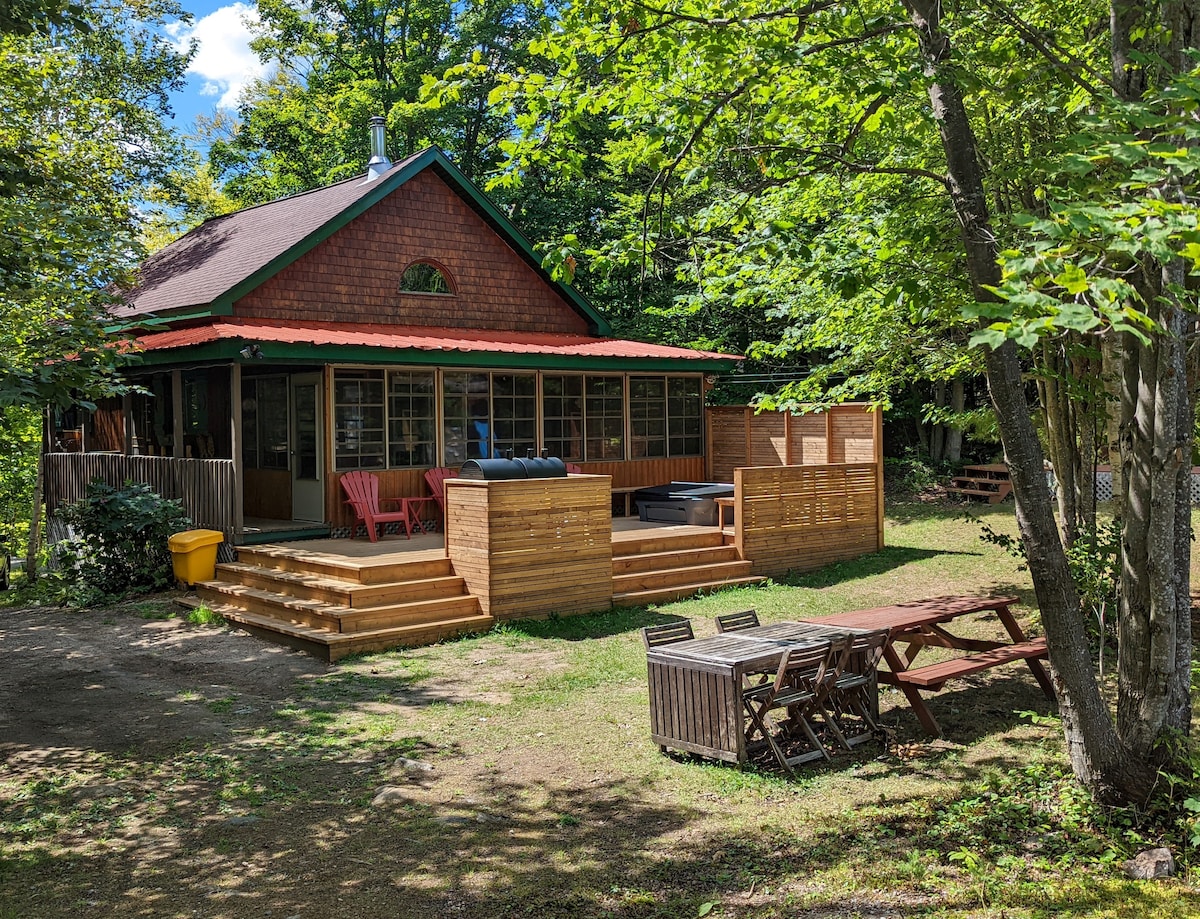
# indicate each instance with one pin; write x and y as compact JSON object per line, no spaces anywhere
{"x":334,"y":591}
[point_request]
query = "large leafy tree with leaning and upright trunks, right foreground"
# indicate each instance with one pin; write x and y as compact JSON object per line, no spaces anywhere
{"x":767,"y":95}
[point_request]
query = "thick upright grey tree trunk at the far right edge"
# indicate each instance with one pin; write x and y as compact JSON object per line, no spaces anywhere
{"x":1155,"y":628}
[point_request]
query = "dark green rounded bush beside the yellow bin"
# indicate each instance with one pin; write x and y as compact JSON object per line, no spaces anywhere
{"x":119,"y":540}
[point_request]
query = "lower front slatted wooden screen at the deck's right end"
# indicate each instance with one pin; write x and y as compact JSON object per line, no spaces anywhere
{"x":801,"y":518}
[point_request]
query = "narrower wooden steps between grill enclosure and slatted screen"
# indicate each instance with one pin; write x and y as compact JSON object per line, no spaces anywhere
{"x":659,"y":566}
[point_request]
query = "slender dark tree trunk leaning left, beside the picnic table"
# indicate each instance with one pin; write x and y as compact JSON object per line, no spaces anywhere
{"x":1096,"y":753}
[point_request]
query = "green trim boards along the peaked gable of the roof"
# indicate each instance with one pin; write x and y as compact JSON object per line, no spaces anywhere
{"x":473,"y":196}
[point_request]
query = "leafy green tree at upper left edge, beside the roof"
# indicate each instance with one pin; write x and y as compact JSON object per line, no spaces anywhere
{"x":81,"y":131}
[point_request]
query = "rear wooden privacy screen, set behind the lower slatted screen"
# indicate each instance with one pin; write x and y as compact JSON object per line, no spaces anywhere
{"x":848,"y":434}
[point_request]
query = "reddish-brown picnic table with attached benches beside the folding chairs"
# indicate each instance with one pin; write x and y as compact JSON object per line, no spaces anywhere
{"x":923,"y":623}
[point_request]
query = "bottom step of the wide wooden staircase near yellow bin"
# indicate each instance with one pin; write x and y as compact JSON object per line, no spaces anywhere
{"x":332,"y":647}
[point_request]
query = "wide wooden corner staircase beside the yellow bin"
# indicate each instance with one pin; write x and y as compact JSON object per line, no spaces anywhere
{"x":333,"y":606}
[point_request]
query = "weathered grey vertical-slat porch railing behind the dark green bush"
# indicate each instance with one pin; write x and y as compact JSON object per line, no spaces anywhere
{"x":206,"y":488}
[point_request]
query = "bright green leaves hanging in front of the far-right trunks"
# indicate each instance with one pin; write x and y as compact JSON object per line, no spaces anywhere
{"x":1119,"y":194}
